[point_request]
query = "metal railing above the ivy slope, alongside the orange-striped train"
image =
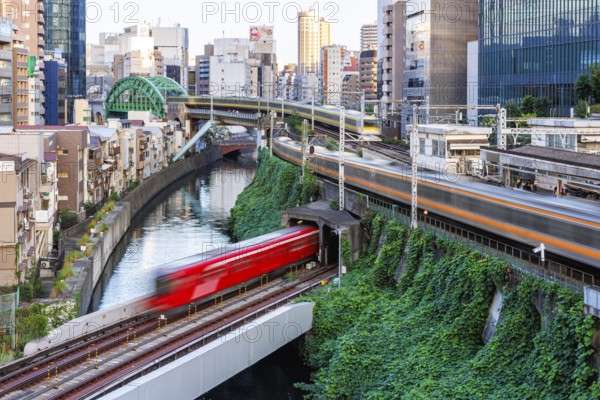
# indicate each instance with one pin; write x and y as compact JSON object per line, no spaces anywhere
{"x":522,"y":261}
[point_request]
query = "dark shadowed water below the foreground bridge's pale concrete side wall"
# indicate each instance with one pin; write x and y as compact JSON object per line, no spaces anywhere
{"x":272,"y":378}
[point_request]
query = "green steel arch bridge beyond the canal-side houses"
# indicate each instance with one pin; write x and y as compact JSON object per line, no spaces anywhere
{"x":141,"y":93}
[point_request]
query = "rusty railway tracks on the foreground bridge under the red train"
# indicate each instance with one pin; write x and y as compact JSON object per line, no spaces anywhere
{"x":140,"y":346}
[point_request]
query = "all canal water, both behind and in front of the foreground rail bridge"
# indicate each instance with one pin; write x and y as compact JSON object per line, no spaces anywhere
{"x":188,"y":218}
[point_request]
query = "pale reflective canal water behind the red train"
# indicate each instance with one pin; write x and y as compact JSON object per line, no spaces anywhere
{"x":188,"y":220}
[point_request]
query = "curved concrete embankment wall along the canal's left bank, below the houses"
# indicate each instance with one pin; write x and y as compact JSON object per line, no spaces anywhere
{"x":90,"y":271}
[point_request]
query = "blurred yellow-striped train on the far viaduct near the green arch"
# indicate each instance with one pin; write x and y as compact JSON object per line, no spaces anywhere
{"x":325,"y":115}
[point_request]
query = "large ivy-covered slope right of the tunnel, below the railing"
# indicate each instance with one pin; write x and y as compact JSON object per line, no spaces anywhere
{"x":422,"y":340}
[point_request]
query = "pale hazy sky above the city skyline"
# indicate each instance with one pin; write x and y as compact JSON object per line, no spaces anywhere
{"x":208,"y":20}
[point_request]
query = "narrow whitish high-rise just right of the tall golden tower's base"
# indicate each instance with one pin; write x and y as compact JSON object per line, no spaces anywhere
{"x":332,"y":58}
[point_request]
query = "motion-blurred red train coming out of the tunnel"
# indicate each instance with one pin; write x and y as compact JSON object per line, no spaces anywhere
{"x":189,"y":279}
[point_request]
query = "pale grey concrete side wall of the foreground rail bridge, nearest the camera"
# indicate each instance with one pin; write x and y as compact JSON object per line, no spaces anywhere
{"x":200,"y":371}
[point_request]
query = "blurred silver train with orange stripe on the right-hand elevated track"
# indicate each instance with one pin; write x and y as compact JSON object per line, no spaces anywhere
{"x":568,"y":228}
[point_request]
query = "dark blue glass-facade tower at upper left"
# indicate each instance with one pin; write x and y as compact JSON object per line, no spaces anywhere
{"x":65,"y":30}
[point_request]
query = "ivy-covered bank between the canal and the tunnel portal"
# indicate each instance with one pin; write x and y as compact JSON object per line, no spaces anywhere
{"x":276,"y":187}
